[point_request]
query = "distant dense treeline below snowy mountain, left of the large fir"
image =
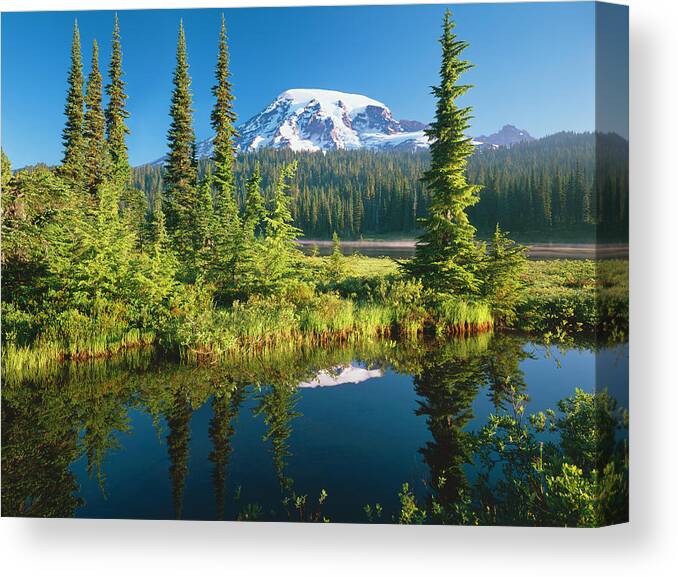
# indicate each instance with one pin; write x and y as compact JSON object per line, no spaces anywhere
{"x":349,"y":192}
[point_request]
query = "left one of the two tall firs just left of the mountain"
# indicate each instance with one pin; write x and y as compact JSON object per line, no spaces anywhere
{"x":181,"y":171}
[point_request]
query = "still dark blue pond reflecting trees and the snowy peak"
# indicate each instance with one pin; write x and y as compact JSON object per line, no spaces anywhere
{"x":149,"y":437}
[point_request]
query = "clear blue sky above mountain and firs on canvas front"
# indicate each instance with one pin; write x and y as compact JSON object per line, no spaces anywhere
{"x":534,"y":65}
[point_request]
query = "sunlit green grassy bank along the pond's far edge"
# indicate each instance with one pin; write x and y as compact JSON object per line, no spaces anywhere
{"x":367,"y":297}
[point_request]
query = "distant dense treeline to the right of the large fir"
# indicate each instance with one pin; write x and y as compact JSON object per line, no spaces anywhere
{"x":564,"y":183}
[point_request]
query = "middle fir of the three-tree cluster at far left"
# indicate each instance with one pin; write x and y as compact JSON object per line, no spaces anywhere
{"x":94,"y":131}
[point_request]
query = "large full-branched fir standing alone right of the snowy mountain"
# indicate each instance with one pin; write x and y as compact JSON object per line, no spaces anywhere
{"x":447,"y":257}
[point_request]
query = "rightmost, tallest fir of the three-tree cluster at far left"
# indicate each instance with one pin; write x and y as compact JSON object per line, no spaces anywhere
{"x":116,"y":114}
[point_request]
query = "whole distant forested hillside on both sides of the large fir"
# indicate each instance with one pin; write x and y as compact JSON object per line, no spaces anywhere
{"x":541,"y":190}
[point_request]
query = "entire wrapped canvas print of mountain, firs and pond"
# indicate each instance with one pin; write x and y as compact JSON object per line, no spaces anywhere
{"x":363,"y":264}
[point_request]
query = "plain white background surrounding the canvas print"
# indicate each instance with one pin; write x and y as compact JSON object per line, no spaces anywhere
{"x":646,"y":546}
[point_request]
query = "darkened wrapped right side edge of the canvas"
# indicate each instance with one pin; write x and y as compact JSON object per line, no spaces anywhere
{"x":611,"y":214}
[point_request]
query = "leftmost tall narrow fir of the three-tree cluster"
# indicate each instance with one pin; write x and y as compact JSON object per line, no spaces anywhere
{"x":72,"y":136}
